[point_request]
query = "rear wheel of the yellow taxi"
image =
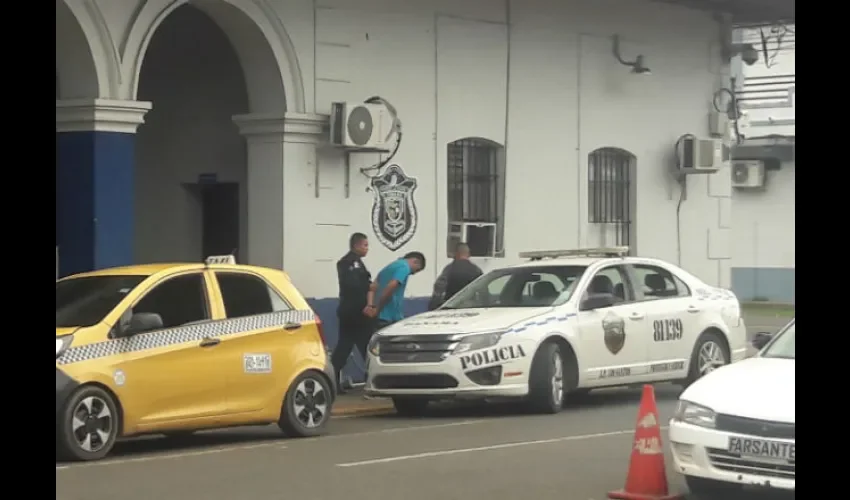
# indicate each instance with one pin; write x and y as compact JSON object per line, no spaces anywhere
{"x":307,"y":406}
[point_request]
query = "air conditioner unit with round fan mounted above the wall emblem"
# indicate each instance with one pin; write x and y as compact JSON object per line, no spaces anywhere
{"x":360,"y":126}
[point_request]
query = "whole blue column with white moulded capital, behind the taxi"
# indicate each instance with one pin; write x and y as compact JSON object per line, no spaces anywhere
{"x":95,"y":157}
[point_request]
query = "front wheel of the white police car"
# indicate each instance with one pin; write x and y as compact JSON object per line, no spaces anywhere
{"x":546,"y":380}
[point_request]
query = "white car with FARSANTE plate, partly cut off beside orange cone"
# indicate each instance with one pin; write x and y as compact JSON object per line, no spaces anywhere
{"x":735,"y":427}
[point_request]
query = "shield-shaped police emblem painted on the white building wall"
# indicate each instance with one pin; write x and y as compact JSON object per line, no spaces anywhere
{"x":393,"y":209}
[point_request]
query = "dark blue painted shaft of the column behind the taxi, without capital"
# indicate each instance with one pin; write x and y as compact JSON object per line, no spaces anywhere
{"x":94,"y":200}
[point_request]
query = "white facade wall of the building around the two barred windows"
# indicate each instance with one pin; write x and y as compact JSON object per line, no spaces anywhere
{"x":445,"y":67}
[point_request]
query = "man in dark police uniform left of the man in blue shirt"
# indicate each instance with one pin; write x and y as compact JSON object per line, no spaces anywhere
{"x":356,"y":294}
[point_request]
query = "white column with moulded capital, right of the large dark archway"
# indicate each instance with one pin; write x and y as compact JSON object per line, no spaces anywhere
{"x":275,"y":143}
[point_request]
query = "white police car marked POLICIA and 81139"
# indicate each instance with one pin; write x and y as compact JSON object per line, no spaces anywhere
{"x":564,"y":322}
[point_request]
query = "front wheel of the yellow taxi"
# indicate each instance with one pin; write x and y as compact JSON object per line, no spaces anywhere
{"x":89,"y":425}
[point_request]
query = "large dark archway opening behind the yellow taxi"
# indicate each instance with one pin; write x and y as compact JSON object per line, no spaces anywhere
{"x":205,"y":63}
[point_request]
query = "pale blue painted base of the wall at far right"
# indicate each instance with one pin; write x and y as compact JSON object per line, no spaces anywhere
{"x":771,"y":284}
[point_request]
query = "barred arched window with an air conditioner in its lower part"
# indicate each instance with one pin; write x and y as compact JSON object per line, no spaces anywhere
{"x":475,"y":192}
